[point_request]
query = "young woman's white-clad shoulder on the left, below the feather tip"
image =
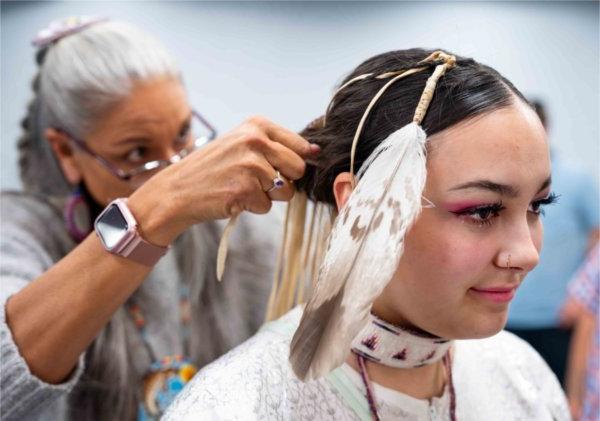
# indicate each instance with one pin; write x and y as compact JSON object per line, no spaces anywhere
{"x":237,"y":385}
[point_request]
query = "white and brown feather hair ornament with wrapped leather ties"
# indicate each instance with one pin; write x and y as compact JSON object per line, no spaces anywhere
{"x":384,"y":204}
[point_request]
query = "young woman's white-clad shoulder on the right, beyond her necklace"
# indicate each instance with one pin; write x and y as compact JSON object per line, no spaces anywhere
{"x":506,"y":371}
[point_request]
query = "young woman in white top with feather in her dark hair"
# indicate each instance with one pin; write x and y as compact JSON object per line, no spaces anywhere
{"x":430,"y":345}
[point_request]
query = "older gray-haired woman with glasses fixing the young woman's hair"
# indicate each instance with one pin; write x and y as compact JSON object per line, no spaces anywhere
{"x":111,"y":324}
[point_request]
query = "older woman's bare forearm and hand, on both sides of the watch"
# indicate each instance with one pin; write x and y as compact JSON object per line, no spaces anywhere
{"x":226,"y":177}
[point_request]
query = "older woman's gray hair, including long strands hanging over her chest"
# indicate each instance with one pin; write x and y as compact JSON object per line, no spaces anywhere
{"x":80,"y":77}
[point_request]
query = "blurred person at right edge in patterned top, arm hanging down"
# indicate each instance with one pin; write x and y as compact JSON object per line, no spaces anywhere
{"x":583,"y":366}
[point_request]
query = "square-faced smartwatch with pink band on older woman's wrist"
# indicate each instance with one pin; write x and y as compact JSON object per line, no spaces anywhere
{"x":117,"y":229}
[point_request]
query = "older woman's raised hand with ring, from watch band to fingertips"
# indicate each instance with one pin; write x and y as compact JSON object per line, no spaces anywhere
{"x":230,"y":175}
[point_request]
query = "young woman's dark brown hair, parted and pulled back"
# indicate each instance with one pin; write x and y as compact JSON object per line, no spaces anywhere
{"x":468,"y":90}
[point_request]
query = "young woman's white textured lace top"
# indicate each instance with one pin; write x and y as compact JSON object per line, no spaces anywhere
{"x":499,"y":378}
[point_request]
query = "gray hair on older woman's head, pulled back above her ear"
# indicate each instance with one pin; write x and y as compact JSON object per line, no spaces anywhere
{"x":80,"y":77}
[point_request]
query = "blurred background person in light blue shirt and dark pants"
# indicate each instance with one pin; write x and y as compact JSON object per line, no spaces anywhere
{"x":570,"y":231}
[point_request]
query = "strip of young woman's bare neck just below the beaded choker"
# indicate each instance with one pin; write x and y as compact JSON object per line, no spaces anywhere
{"x":424,"y":382}
